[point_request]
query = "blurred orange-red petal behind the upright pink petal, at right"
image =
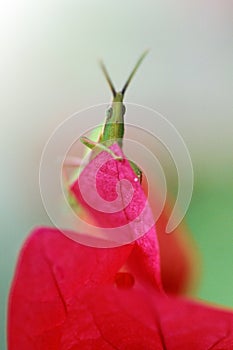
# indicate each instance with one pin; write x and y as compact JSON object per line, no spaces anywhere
{"x":179,"y":259}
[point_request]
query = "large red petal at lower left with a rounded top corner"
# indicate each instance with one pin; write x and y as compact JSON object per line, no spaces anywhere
{"x":52,"y":269}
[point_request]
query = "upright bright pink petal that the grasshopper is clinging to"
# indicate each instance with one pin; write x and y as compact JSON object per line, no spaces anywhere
{"x":97,"y":183}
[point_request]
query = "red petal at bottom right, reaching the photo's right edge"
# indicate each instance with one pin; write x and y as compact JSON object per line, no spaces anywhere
{"x":143,"y":320}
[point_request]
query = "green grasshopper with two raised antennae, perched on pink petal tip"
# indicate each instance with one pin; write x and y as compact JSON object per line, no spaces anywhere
{"x":113,"y":129}
